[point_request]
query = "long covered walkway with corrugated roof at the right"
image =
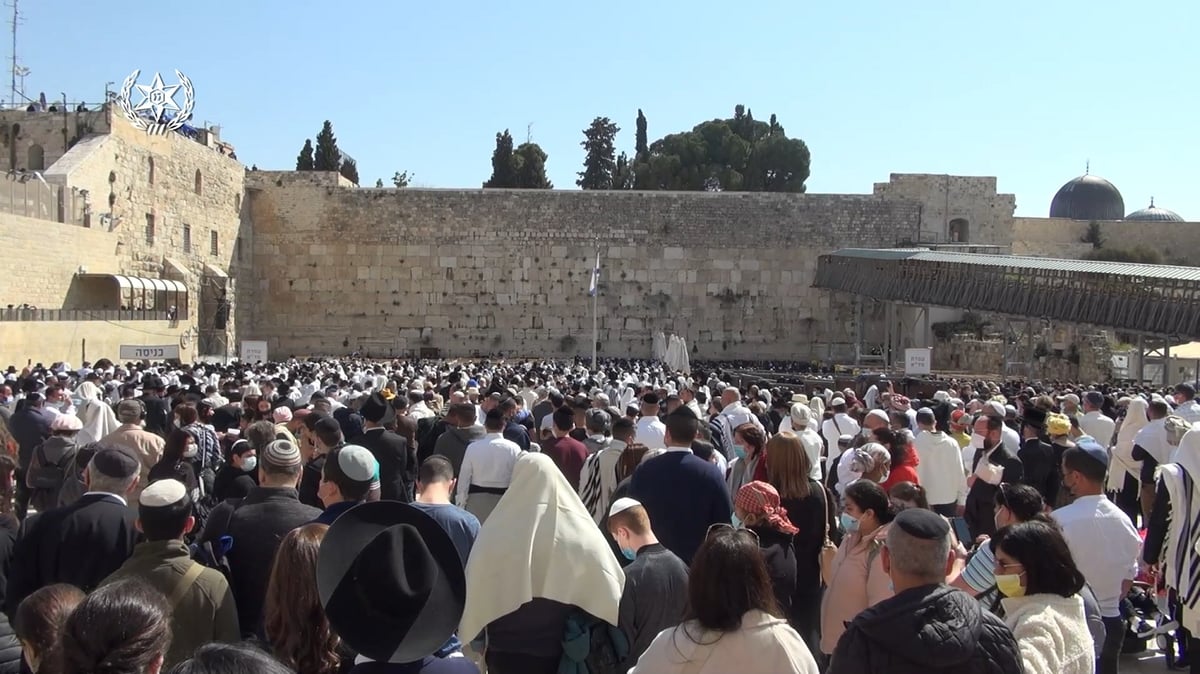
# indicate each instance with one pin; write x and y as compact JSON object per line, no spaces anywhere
{"x":1160,"y":300}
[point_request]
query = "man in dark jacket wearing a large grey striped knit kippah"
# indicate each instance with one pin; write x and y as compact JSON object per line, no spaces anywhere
{"x":256,"y":525}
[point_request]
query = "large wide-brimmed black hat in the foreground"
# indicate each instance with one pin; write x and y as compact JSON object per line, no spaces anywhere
{"x":392,"y":582}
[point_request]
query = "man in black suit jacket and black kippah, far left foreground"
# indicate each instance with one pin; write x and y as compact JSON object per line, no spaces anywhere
{"x":83,"y":543}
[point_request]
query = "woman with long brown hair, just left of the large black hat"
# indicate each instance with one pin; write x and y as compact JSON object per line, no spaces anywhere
{"x":296,"y":623}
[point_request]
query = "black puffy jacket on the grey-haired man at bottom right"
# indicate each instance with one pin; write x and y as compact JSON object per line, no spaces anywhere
{"x":926,"y":631}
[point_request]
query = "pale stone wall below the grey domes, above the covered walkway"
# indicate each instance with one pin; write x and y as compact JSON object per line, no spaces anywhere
{"x":1061,"y":238}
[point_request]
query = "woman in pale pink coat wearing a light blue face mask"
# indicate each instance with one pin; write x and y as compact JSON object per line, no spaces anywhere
{"x":857,"y":579}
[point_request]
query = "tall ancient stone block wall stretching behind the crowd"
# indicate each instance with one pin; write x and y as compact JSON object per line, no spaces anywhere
{"x":394,"y":272}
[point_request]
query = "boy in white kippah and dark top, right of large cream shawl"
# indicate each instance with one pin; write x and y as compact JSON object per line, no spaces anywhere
{"x":656,"y":581}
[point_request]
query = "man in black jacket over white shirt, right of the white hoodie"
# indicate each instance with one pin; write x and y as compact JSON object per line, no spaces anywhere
{"x":992,"y":465}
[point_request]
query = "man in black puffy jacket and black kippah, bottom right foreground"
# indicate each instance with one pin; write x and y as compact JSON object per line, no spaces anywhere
{"x":952,"y":631}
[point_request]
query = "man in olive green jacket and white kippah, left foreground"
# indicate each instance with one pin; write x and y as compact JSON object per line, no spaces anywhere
{"x":202,"y":606}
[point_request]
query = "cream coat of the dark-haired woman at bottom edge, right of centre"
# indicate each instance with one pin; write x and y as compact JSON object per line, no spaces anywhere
{"x":764,"y":646}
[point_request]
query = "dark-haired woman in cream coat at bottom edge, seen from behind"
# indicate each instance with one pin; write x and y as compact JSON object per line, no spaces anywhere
{"x":733,"y":618}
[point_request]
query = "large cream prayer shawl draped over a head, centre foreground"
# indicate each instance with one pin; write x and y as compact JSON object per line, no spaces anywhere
{"x":541,"y":541}
